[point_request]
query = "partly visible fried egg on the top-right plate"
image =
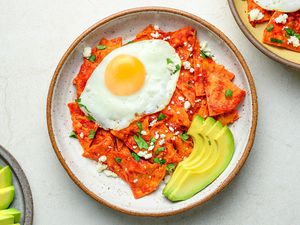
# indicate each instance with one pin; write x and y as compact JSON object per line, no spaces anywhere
{"x":279,"y":5}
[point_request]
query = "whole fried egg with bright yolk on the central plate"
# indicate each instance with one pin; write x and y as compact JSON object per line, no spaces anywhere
{"x":133,"y":80}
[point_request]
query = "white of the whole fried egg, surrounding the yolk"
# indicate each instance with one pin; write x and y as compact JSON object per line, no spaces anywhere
{"x":117,"y":112}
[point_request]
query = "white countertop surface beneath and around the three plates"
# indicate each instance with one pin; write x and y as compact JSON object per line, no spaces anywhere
{"x":33,"y":37}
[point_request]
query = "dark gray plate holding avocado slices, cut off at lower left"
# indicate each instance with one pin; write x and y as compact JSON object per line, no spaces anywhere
{"x":23,"y":198}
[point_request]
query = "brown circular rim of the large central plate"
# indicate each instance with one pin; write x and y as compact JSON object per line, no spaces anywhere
{"x":211,"y":28}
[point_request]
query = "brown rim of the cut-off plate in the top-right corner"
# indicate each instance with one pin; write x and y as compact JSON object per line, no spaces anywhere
{"x":256,"y":42}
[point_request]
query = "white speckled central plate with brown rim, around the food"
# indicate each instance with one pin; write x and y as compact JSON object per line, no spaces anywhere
{"x":114,"y":192}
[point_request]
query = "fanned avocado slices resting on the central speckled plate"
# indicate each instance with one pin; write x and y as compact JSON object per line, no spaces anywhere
{"x":196,"y":176}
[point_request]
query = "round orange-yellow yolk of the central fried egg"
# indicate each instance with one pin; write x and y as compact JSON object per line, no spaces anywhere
{"x":125,"y":75}
